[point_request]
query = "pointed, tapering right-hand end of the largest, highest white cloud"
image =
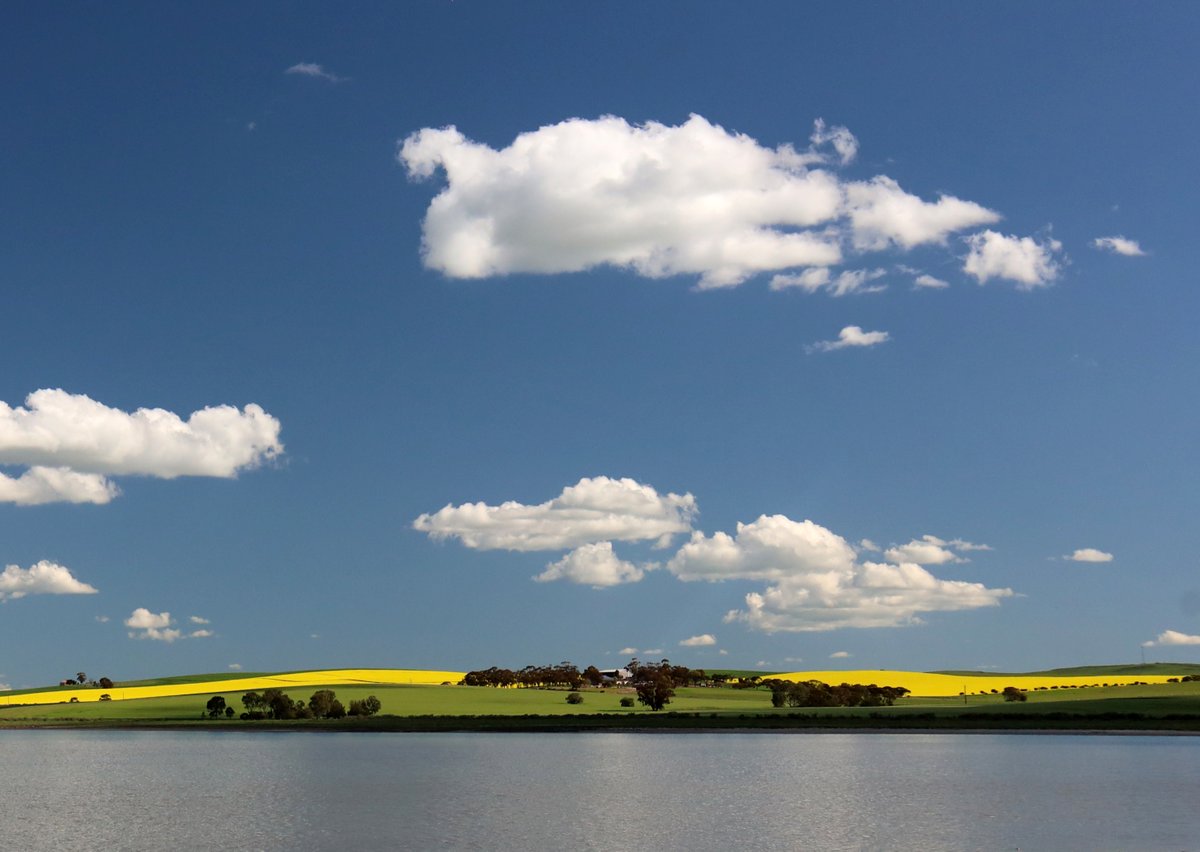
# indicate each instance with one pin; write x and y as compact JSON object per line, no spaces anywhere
{"x":884,"y":215}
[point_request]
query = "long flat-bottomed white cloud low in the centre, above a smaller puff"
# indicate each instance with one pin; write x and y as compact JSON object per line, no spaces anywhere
{"x":593,"y":511}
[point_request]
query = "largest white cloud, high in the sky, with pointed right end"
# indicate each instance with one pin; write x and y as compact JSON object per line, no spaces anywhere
{"x":661,"y":201}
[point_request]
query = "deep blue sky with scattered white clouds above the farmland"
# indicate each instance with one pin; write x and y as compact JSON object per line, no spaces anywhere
{"x":907,"y":292}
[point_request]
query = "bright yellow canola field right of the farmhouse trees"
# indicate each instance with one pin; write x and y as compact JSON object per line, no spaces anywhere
{"x":922,"y":683}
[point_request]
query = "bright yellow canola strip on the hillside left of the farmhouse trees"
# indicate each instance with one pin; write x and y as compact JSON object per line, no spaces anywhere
{"x":326,"y":677}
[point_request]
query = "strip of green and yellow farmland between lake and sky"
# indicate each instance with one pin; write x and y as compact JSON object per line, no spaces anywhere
{"x":417,"y":701}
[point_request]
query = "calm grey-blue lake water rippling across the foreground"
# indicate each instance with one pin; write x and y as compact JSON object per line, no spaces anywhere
{"x":610,"y":791}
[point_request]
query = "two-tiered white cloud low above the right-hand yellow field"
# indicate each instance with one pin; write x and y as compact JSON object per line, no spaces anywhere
{"x":815,"y":581}
